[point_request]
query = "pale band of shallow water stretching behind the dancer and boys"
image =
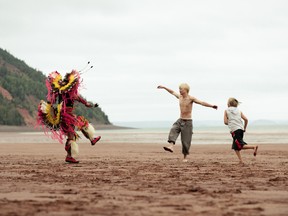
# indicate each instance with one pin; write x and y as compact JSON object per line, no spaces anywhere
{"x":201,"y":135}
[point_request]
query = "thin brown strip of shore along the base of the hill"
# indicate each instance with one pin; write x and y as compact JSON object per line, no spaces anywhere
{"x":8,"y":128}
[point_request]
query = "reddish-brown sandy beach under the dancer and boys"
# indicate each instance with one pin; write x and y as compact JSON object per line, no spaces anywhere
{"x":140,"y":179}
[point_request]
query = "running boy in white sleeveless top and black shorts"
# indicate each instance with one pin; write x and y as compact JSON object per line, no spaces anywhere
{"x":233,"y":118}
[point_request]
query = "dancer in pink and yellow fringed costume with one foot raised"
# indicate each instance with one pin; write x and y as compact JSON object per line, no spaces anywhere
{"x":56,"y":115}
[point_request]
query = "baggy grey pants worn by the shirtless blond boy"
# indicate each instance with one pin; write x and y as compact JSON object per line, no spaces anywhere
{"x":185,"y":127}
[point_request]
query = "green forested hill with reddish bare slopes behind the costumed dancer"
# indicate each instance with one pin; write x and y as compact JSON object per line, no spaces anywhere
{"x":21,"y":89}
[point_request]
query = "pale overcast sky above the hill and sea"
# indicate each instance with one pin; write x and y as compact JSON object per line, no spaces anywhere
{"x":221,"y":48}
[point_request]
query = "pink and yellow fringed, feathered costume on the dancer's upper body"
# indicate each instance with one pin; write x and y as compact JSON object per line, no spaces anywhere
{"x":56,"y":115}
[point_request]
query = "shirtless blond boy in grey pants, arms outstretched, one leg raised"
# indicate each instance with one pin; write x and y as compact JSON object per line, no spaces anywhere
{"x":184,"y":124}
